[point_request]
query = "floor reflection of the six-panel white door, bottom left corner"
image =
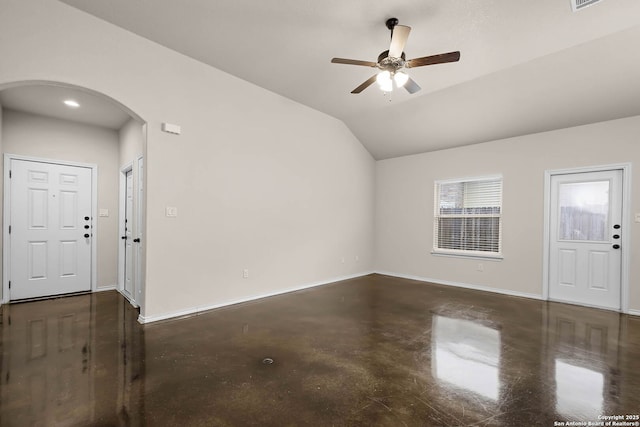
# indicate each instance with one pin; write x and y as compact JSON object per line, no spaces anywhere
{"x":46,"y":373}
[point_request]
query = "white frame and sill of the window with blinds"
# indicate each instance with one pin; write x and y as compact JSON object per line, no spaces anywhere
{"x":463,"y":253}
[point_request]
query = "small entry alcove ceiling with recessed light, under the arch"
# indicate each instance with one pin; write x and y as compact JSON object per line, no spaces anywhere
{"x":47,"y":100}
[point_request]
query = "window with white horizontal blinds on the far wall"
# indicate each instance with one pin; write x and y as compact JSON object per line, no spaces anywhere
{"x":467,"y":217}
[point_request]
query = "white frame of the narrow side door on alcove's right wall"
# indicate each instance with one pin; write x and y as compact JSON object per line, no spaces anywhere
{"x":122,"y":194}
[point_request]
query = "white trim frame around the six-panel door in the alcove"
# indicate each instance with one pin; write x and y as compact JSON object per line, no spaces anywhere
{"x":6,"y":214}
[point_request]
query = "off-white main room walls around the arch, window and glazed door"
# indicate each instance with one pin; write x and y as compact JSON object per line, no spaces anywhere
{"x":263,"y":183}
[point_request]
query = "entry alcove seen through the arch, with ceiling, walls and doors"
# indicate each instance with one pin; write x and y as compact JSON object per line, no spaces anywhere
{"x":95,"y":132}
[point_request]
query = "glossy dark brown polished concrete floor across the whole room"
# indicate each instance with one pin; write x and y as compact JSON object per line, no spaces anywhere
{"x":372,"y":351}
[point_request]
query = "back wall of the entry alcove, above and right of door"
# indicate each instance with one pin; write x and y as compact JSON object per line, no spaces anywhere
{"x":49,"y":138}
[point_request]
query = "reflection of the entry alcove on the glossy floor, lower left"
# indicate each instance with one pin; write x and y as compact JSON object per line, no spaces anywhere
{"x":68,"y":361}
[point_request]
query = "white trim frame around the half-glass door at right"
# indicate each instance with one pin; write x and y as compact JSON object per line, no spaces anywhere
{"x":626,"y":225}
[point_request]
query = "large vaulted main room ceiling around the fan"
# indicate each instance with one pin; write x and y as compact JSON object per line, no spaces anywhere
{"x":526,"y":66}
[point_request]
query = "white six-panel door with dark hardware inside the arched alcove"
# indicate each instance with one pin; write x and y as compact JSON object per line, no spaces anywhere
{"x":51,"y":223}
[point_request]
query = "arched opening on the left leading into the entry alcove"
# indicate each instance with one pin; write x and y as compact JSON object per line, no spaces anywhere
{"x":50,"y":123}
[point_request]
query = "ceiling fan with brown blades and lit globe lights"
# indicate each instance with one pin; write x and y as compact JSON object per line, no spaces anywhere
{"x":392,"y":62}
